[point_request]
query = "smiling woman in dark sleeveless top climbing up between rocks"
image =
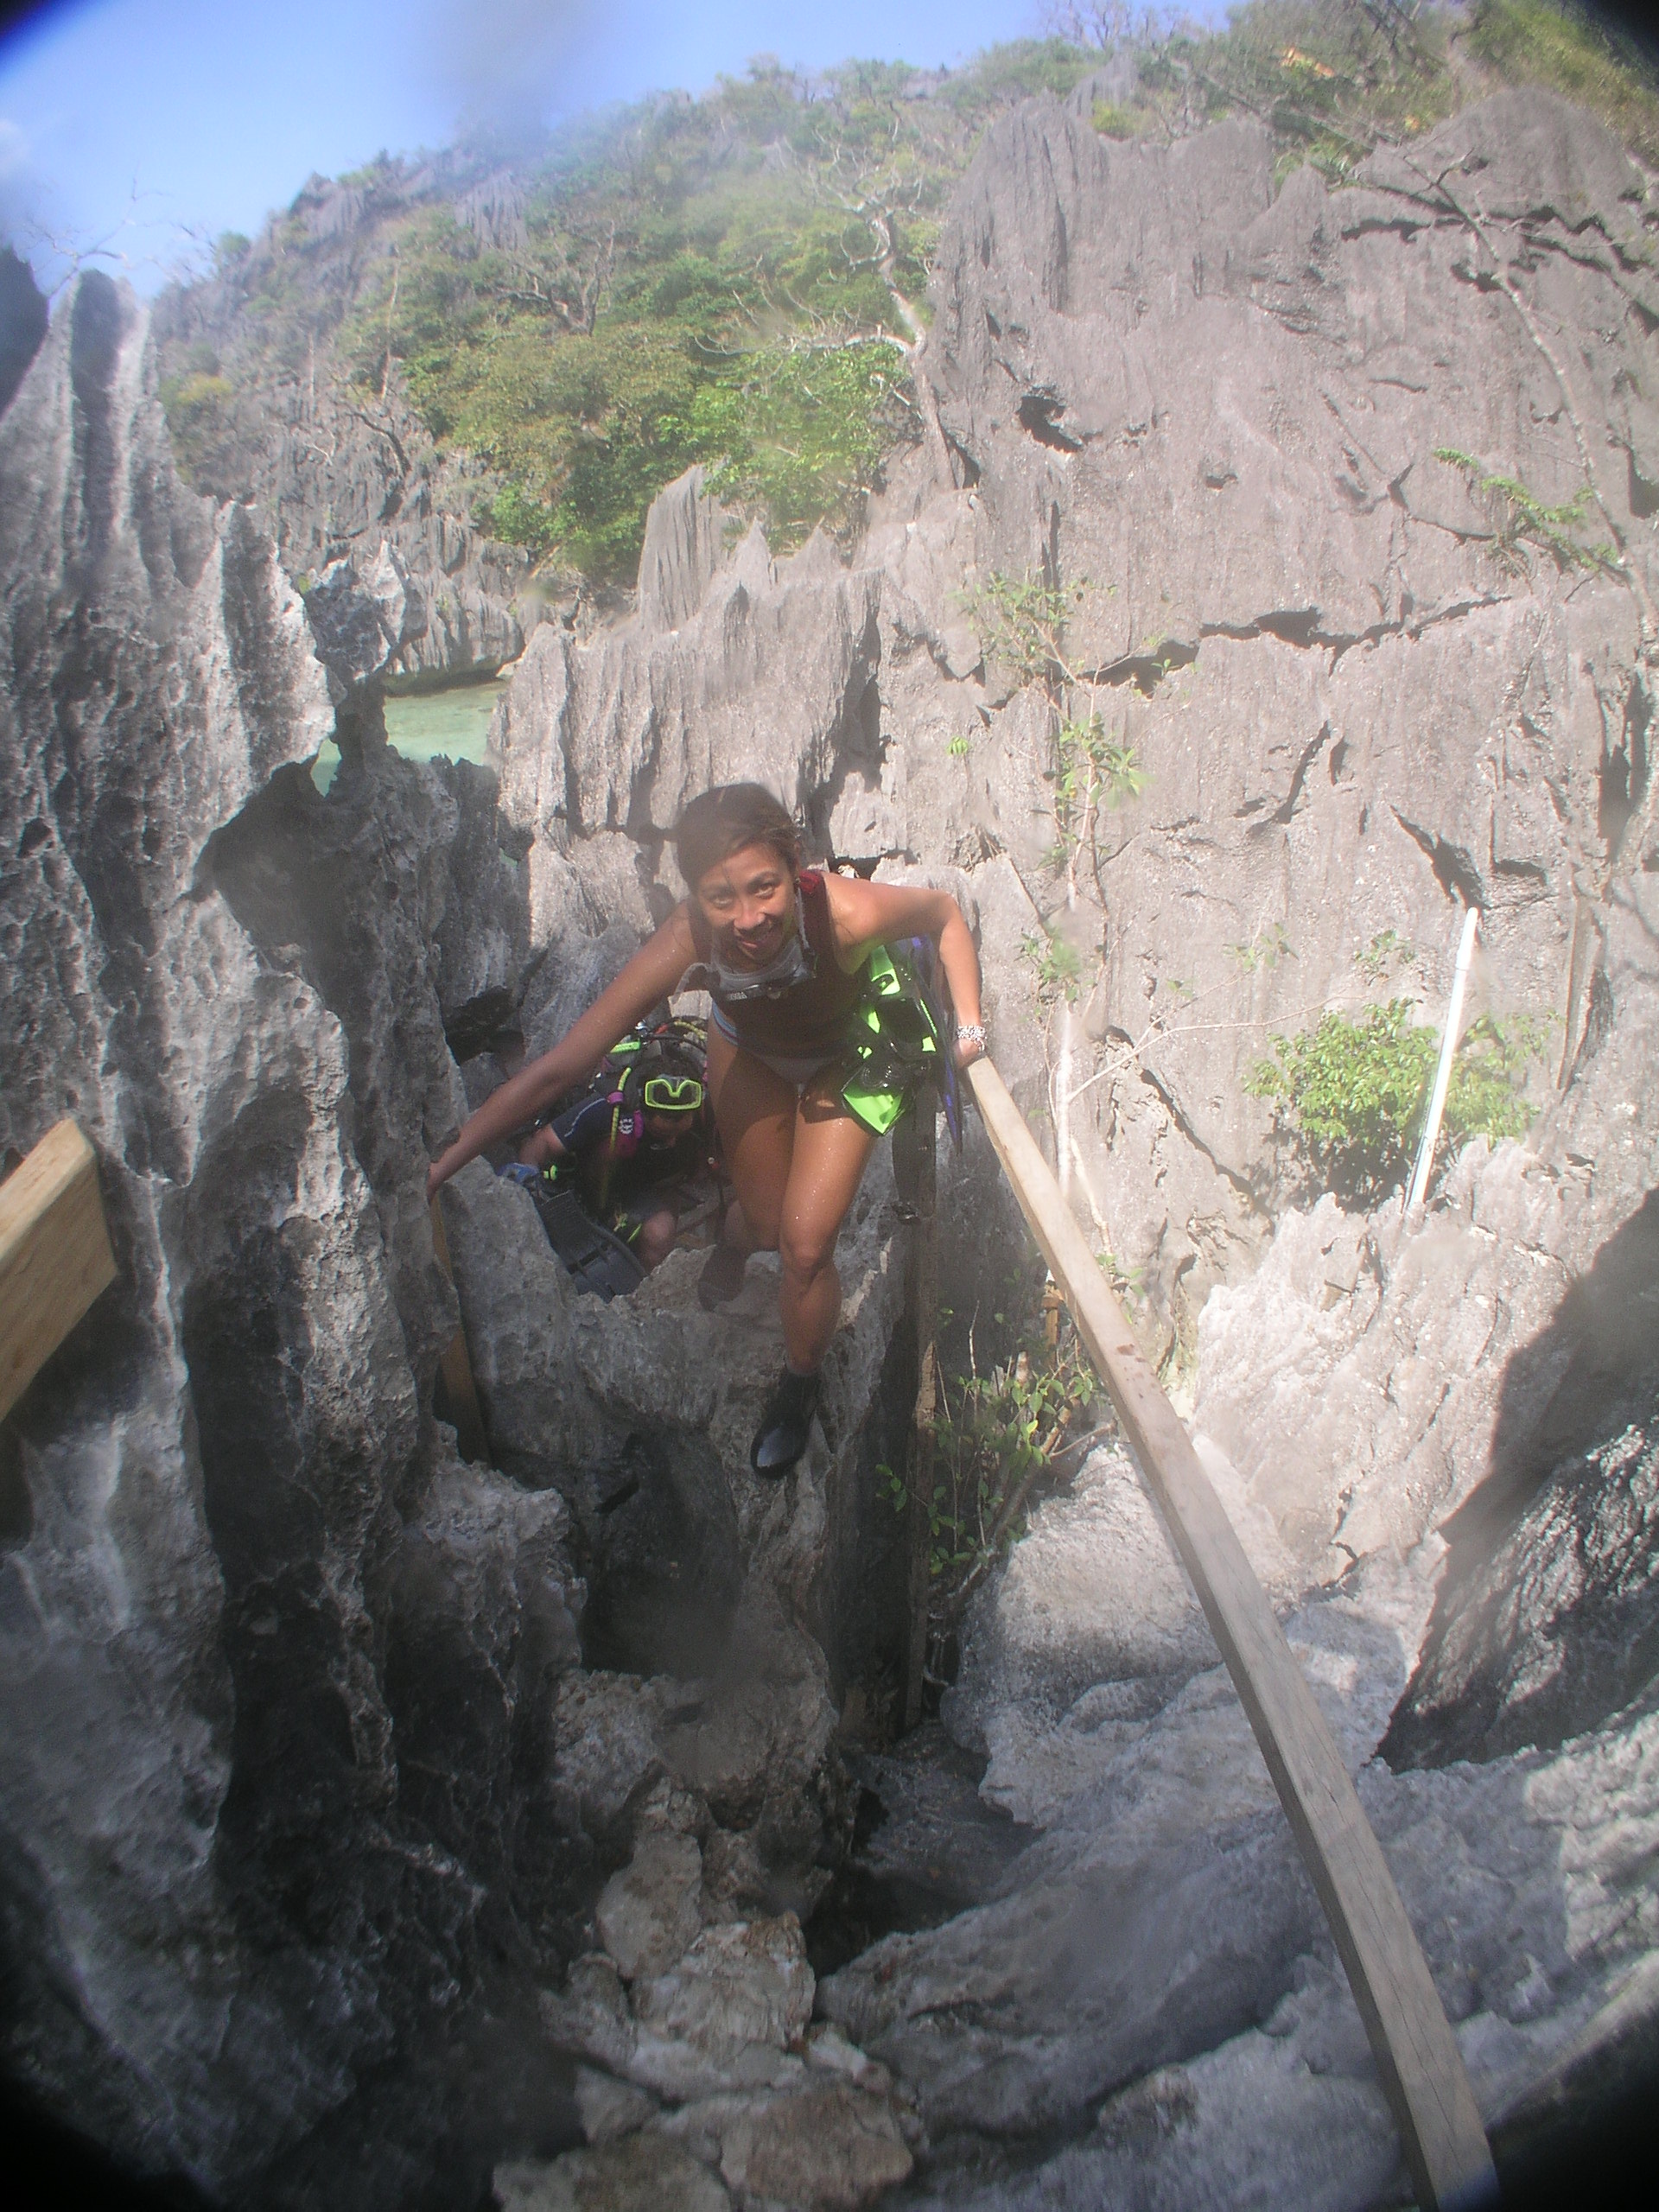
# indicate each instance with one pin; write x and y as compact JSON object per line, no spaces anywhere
{"x":786,"y":957}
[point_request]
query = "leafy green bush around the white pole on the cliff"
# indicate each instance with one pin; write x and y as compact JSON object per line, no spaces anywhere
{"x":1353,"y":1094}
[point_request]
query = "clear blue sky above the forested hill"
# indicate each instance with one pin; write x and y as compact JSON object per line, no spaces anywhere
{"x":140,"y":125}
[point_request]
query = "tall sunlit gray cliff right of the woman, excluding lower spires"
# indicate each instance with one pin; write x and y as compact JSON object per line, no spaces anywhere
{"x":1293,"y":612}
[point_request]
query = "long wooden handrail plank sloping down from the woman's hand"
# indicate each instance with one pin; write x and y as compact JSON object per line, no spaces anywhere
{"x":1417,"y":2054}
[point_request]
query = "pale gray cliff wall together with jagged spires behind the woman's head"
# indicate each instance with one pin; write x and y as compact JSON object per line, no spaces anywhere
{"x":1211,"y":417}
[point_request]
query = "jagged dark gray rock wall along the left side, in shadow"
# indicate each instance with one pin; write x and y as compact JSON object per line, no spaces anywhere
{"x":251,"y":1600}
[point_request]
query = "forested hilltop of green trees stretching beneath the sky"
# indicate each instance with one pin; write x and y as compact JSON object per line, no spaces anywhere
{"x":742,"y":280}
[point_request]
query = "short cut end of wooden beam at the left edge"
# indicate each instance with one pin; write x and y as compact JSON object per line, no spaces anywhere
{"x":54,"y":1255}
